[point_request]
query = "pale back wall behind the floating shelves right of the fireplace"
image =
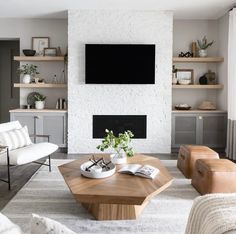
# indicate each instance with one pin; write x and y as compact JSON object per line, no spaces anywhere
{"x":185,"y":32}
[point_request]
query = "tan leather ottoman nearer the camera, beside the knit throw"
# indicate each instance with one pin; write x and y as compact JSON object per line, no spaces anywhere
{"x":214,"y":176}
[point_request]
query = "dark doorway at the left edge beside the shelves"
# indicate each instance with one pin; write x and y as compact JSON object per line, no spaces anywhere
{"x":9,"y":96}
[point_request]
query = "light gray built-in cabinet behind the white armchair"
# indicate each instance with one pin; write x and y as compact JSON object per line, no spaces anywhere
{"x":45,"y":123}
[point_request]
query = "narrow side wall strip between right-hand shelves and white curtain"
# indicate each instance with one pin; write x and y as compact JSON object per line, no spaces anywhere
{"x":223,"y":67}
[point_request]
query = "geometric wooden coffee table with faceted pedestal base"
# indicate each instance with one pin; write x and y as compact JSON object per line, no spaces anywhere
{"x":120,"y":196}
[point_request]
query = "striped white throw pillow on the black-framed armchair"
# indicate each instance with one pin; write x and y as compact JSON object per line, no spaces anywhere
{"x":16,"y":138}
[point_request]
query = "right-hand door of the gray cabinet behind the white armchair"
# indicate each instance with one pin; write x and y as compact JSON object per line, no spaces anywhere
{"x":55,"y":126}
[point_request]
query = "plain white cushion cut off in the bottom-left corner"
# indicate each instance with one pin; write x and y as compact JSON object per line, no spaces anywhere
{"x":7,"y":227}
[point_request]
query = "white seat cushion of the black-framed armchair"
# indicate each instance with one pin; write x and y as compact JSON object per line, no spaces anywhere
{"x":28,"y":153}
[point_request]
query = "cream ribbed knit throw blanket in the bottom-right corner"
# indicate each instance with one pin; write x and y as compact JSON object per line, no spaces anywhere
{"x":213,"y":214}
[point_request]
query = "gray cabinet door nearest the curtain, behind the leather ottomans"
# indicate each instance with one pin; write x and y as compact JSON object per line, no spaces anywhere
{"x":214,"y":130}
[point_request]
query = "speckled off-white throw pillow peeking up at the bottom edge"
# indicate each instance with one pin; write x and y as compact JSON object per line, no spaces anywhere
{"x":43,"y":225}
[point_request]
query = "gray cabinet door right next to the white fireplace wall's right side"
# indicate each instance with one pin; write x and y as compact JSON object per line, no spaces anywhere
{"x":184,"y":129}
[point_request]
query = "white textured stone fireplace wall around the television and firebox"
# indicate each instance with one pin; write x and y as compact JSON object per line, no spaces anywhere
{"x":84,"y":101}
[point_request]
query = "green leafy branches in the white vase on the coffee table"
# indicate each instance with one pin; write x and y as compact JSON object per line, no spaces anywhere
{"x":118,"y":143}
